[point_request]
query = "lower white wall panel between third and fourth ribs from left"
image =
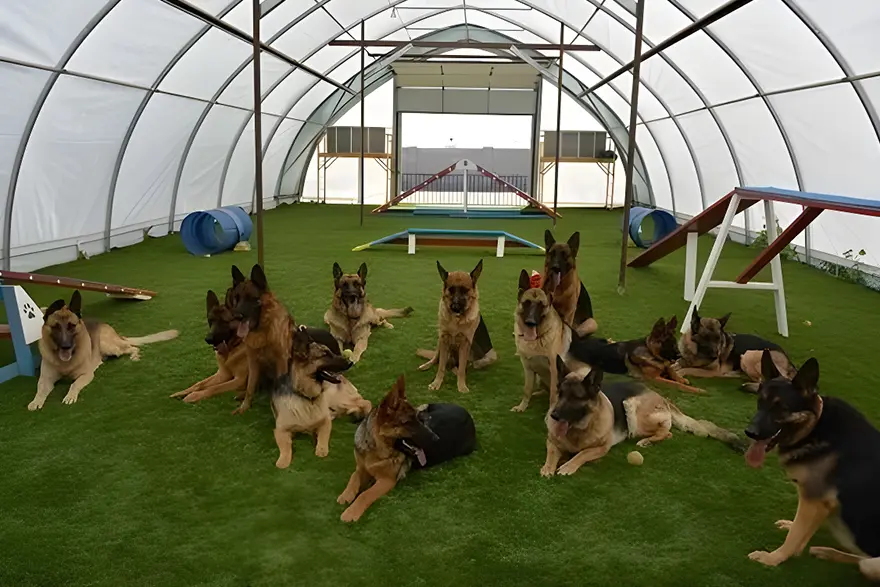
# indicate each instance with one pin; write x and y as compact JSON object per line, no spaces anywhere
{"x":200,"y":182}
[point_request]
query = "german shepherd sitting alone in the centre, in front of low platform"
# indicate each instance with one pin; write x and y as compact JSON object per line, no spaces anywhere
{"x":462,"y":333}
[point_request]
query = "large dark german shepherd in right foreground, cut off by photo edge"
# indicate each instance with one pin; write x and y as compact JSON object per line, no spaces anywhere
{"x":832,"y":453}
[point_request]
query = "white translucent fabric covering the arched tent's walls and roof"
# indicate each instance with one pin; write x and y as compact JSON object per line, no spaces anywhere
{"x":124,"y":115}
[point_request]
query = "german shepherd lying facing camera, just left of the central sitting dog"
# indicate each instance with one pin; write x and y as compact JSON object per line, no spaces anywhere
{"x":351,"y":316}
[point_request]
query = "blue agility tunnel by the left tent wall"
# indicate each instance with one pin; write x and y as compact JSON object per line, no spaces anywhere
{"x":209,"y":232}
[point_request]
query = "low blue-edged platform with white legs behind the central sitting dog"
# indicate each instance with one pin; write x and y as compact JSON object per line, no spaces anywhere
{"x":456,"y":238}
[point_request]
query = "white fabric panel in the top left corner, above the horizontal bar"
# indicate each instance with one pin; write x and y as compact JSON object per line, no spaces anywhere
{"x":42,"y":35}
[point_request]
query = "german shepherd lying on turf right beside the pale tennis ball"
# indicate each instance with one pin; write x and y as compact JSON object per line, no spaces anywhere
{"x":589,"y":419}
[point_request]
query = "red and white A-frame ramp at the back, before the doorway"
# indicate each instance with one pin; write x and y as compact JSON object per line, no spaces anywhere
{"x":532,"y":209}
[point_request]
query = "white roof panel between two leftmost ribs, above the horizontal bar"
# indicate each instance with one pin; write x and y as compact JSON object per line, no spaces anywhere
{"x":135,"y":42}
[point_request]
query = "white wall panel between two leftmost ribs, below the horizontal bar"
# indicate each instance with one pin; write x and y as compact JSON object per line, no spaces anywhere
{"x":65,"y":175}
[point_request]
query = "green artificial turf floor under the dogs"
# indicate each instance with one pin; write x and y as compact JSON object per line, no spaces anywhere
{"x":129,"y":487}
